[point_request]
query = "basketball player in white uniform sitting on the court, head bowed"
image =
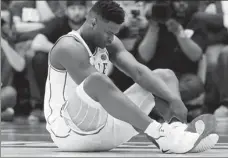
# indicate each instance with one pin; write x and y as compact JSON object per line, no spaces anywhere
{"x":85,"y":111}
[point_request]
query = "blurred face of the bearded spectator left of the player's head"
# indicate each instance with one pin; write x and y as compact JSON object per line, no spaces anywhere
{"x":76,"y":13}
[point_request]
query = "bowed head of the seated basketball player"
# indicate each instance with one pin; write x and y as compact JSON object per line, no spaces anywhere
{"x":105,"y":19}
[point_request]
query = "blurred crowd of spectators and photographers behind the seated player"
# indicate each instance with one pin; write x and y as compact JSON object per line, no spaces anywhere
{"x":29,"y":30}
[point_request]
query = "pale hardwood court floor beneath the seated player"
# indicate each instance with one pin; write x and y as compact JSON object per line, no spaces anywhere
{"x":32,"y":140}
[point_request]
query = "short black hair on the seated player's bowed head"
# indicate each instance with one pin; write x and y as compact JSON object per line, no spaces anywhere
{"x":109,"y":10}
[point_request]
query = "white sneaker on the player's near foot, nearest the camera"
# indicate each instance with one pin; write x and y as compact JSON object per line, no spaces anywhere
{"x":174,"y":139}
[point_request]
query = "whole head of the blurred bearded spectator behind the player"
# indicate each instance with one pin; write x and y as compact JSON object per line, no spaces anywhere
{"x":76,"y":11}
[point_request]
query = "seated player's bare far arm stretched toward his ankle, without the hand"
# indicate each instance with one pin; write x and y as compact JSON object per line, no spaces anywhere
{"x":141,"y":74}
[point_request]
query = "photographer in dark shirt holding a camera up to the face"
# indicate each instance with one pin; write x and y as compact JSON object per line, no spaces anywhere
{"x":171,"y":42}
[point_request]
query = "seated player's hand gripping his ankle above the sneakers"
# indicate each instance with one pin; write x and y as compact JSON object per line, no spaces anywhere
{"x":178,"y":111}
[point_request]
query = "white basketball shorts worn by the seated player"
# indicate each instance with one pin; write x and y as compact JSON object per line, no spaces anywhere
{"x":114,"y":133}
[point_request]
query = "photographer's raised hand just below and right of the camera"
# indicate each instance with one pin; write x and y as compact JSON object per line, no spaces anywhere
{"x":174,"y":27}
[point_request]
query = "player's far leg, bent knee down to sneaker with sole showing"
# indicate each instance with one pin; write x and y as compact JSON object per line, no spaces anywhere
{"x":172,"y":82}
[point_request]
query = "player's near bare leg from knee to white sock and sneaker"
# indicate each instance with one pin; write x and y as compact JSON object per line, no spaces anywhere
{"x":101,"y":89}
